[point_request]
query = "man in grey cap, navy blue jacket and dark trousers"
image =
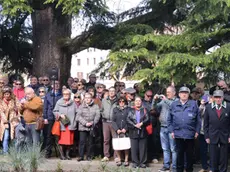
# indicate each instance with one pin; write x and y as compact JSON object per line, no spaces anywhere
{"x":184,"y":125}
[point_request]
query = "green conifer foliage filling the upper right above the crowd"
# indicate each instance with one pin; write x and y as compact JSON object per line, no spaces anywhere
{"x":175,"y":49}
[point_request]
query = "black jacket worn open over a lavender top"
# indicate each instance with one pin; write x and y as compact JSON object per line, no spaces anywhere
{"x":131,"y":121}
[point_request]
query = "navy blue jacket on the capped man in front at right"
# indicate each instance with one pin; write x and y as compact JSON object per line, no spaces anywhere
{"x":184,"y":120}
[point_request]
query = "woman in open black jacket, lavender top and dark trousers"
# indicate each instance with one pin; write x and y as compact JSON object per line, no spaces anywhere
{"x":137,"y":120}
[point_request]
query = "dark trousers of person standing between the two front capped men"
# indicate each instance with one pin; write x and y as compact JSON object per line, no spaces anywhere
{"x":203,"y":152}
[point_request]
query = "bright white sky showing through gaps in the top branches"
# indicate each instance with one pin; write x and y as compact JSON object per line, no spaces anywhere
{"x":117,"y":6}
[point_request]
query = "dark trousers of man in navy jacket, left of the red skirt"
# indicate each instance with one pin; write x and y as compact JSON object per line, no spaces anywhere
{"x":48,"y":137}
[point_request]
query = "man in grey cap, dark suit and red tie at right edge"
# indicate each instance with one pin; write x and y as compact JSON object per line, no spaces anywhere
{"x":217,"y":131}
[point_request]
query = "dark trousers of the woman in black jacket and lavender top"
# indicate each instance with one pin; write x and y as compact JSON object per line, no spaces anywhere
{"x":139,"y":150}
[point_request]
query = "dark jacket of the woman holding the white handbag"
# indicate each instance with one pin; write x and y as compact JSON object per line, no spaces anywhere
{"x":119,"y":120}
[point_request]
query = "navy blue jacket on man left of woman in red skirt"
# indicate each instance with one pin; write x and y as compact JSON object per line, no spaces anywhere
{"x":48,"y":104}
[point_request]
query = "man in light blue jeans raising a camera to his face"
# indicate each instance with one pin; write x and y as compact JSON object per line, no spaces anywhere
{"x":167,"y":142}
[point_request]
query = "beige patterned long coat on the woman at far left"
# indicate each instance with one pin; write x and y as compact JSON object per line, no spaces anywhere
{"x":7,"y":112}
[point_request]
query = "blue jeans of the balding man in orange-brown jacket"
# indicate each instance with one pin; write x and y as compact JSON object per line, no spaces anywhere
{"x":32,"y":135}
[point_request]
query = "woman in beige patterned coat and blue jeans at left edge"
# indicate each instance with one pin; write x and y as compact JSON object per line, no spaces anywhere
{"x":9,"y":106}
